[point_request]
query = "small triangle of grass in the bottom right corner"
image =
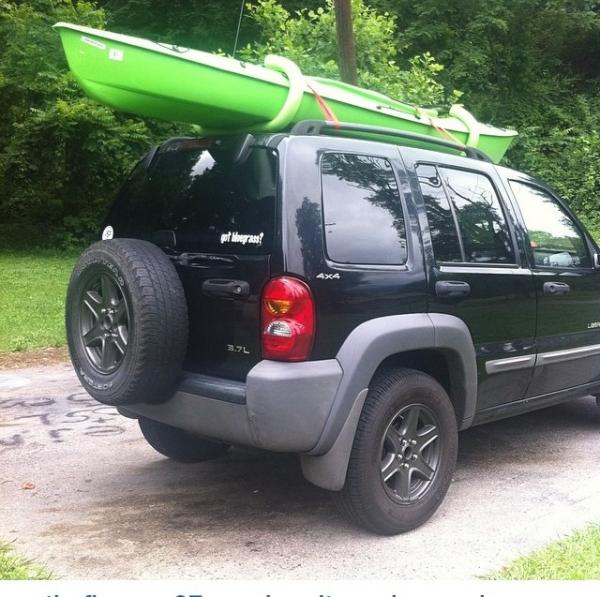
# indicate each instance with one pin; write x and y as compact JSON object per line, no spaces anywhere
{"x":576,"y":557}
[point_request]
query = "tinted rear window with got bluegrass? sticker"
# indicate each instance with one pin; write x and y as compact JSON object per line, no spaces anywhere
{"x":193,"y":198}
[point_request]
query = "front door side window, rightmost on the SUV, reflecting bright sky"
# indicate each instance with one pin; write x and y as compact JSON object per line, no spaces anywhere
{"x":554,"y":237}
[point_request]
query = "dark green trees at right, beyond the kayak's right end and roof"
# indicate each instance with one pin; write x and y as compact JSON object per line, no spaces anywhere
{"x":528,"y":64}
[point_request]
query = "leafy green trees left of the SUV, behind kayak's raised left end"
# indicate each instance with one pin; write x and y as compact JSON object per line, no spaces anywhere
{"x":61,"y":154}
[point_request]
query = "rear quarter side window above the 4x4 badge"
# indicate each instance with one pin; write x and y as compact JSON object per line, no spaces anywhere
{"x":363,"y":217}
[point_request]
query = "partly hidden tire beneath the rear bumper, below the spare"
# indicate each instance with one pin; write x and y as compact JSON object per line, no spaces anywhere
{"x":178,"y":444}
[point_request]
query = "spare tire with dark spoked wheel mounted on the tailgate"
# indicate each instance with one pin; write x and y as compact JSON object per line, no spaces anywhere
{"x":127,"y":323}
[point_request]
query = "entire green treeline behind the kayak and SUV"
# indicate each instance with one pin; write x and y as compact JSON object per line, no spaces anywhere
{"x":528,"y":64}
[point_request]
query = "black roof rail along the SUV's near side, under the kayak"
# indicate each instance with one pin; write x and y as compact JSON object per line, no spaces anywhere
{"x":316,"y":127}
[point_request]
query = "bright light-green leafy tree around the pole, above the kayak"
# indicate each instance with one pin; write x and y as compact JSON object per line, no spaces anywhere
{"x":309,"y":38}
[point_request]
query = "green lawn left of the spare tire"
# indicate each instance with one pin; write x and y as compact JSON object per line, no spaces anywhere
{"x":32,"y":293}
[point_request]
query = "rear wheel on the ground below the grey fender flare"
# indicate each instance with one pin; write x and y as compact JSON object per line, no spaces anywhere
{"x":403,"y":456}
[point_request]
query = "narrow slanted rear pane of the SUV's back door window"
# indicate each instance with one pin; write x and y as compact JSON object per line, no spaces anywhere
{"x":446,"y":246}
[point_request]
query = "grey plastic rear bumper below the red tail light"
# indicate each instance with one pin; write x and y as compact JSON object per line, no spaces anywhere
{"x":282,"y":407}
